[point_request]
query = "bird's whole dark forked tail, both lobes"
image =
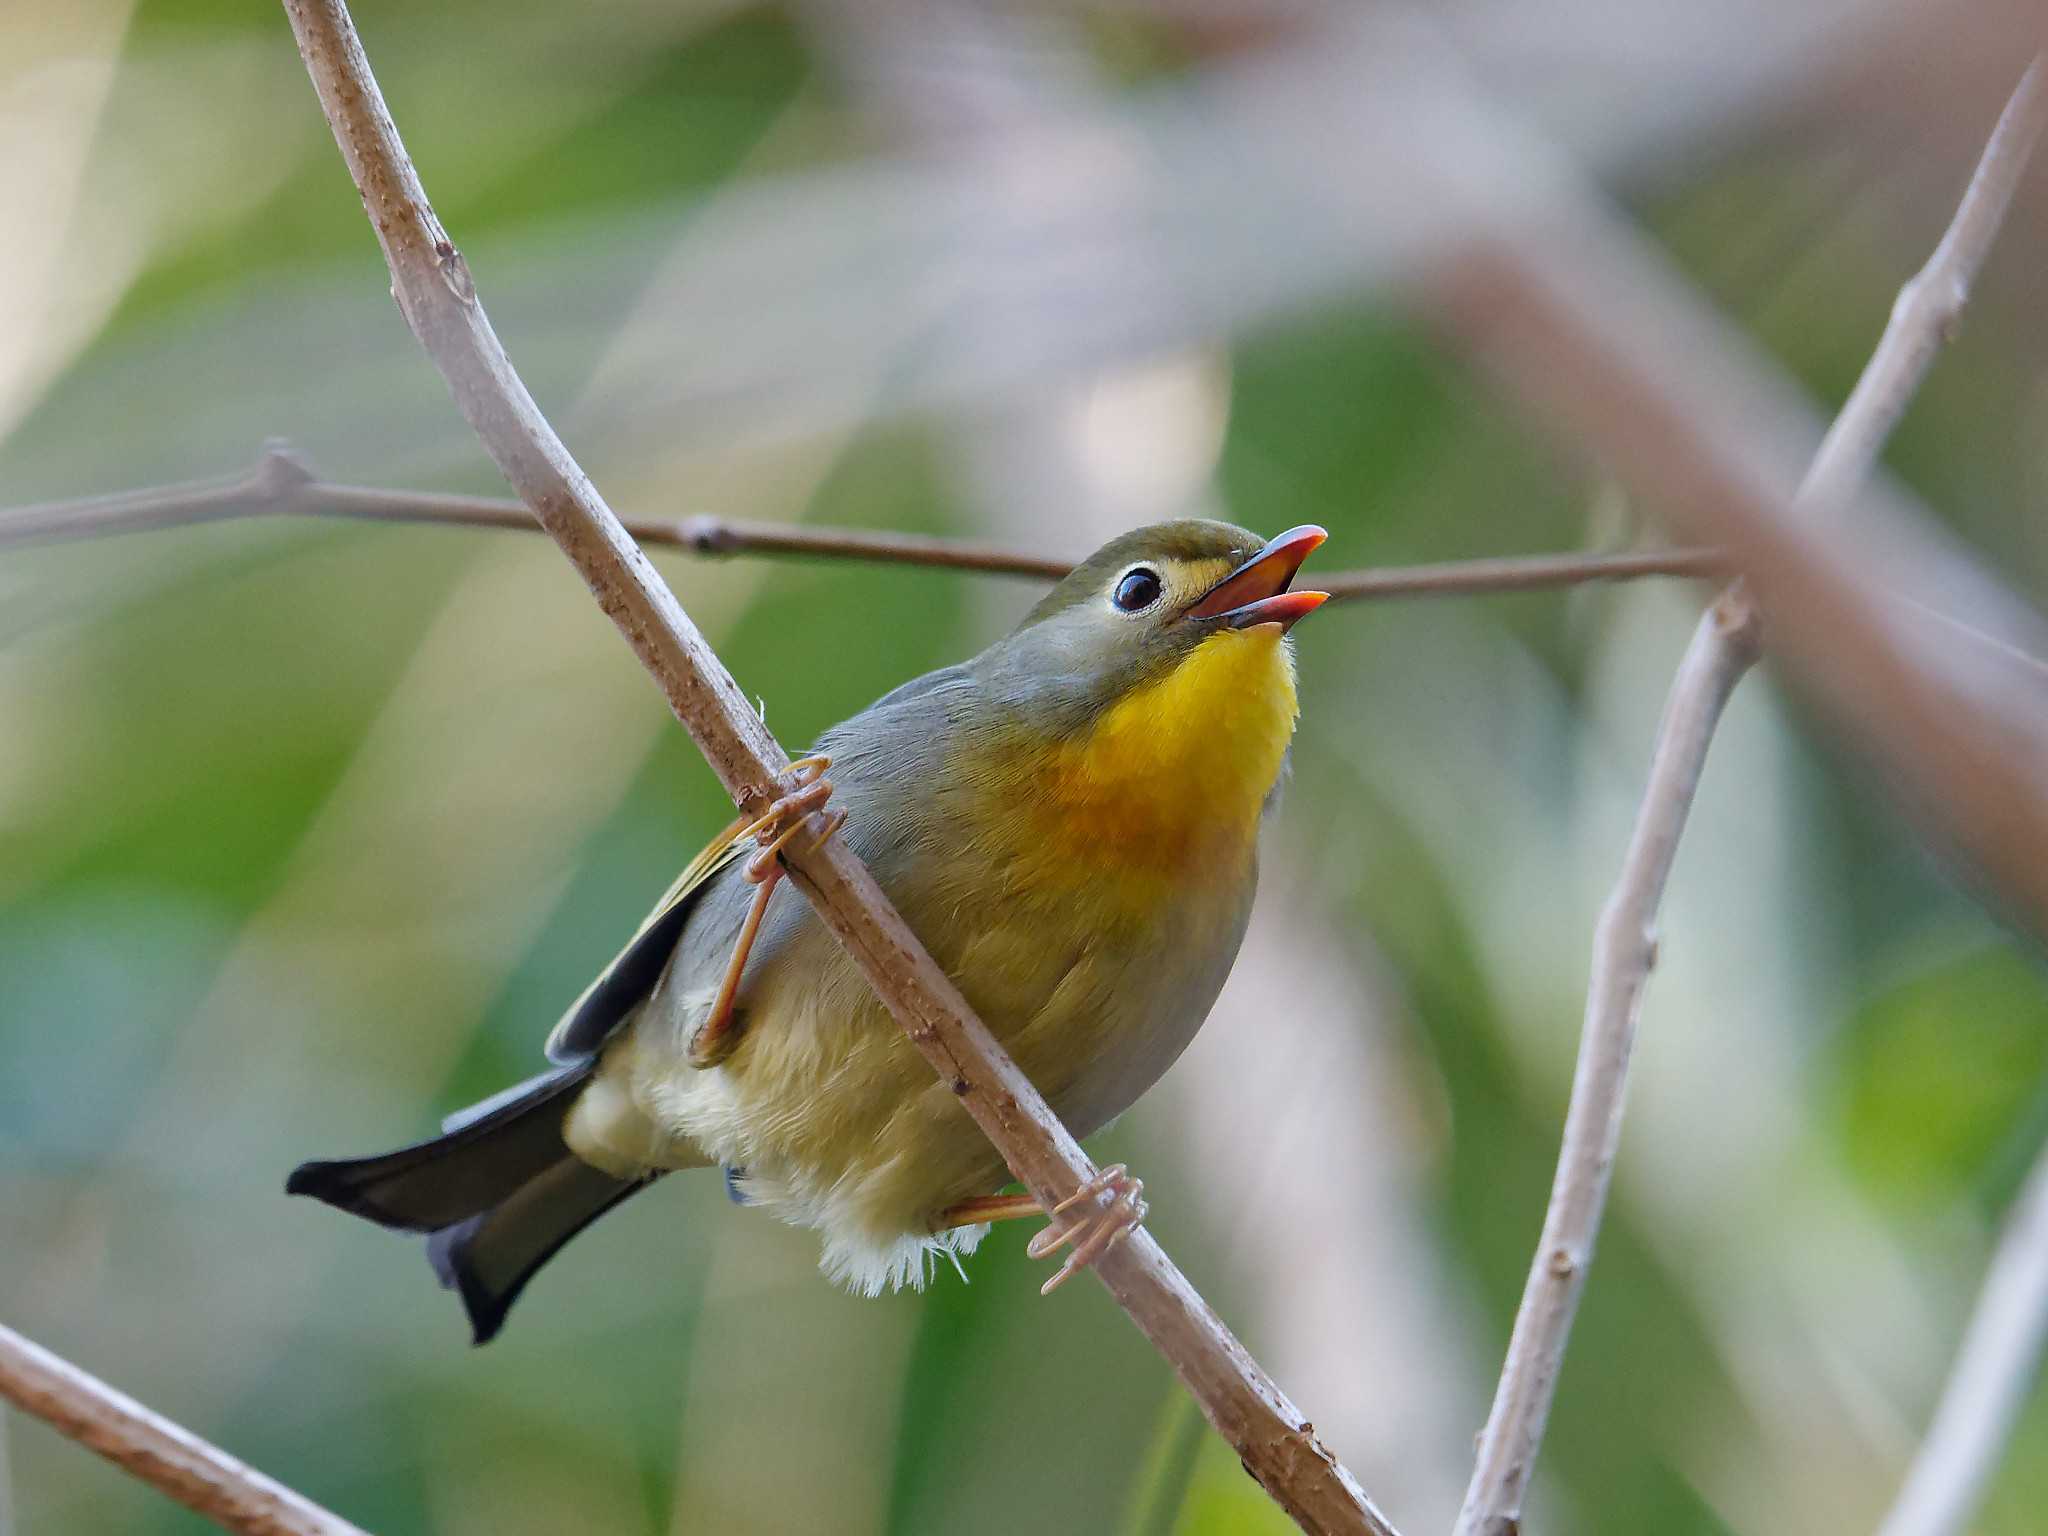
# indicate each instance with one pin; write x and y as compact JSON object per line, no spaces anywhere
{"x":499,"y":1193}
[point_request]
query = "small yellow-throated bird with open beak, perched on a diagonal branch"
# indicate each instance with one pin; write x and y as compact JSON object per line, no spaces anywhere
{"x":1068,"y":822}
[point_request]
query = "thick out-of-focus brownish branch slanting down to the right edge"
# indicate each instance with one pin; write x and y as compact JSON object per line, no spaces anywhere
{"x":1584,"y":331}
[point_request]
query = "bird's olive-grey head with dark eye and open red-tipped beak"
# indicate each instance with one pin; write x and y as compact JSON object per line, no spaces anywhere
{"x":1142,"y":607}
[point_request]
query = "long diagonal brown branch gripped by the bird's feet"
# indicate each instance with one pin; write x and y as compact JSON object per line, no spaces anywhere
{"x":439,"y":300}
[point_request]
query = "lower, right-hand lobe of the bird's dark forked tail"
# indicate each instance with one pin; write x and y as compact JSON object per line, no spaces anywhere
{"x":490,"y":1256}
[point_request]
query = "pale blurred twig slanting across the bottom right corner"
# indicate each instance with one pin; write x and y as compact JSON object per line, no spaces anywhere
{"x":1986,"y":1390}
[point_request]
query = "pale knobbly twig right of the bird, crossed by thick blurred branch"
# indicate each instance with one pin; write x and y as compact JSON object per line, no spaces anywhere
{"x":1625,"y":947}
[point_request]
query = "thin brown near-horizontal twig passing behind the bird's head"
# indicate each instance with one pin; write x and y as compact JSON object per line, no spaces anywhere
{"x":280,"y":484}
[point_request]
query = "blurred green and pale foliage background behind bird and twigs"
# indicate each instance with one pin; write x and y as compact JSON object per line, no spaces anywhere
{"x":310,"y":833}
